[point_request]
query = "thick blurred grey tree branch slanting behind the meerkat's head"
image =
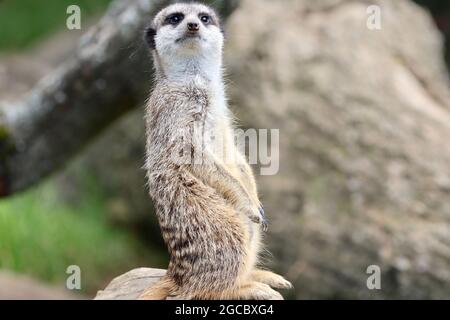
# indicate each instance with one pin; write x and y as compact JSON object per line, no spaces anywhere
{"x":108,"y":75}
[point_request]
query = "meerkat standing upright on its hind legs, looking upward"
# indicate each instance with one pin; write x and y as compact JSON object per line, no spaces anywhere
{"x":209,"y":212}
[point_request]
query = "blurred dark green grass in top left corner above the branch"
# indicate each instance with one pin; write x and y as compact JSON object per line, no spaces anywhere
{"x":23,"y":22}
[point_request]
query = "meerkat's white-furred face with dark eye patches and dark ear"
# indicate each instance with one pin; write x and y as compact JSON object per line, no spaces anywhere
{"x":185,"y":29}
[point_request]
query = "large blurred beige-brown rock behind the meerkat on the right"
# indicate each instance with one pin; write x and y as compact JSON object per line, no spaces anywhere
{"x":364,"y":119}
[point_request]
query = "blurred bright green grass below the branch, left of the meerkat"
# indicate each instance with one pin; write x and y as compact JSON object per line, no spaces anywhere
{"x":41,"y":235}
